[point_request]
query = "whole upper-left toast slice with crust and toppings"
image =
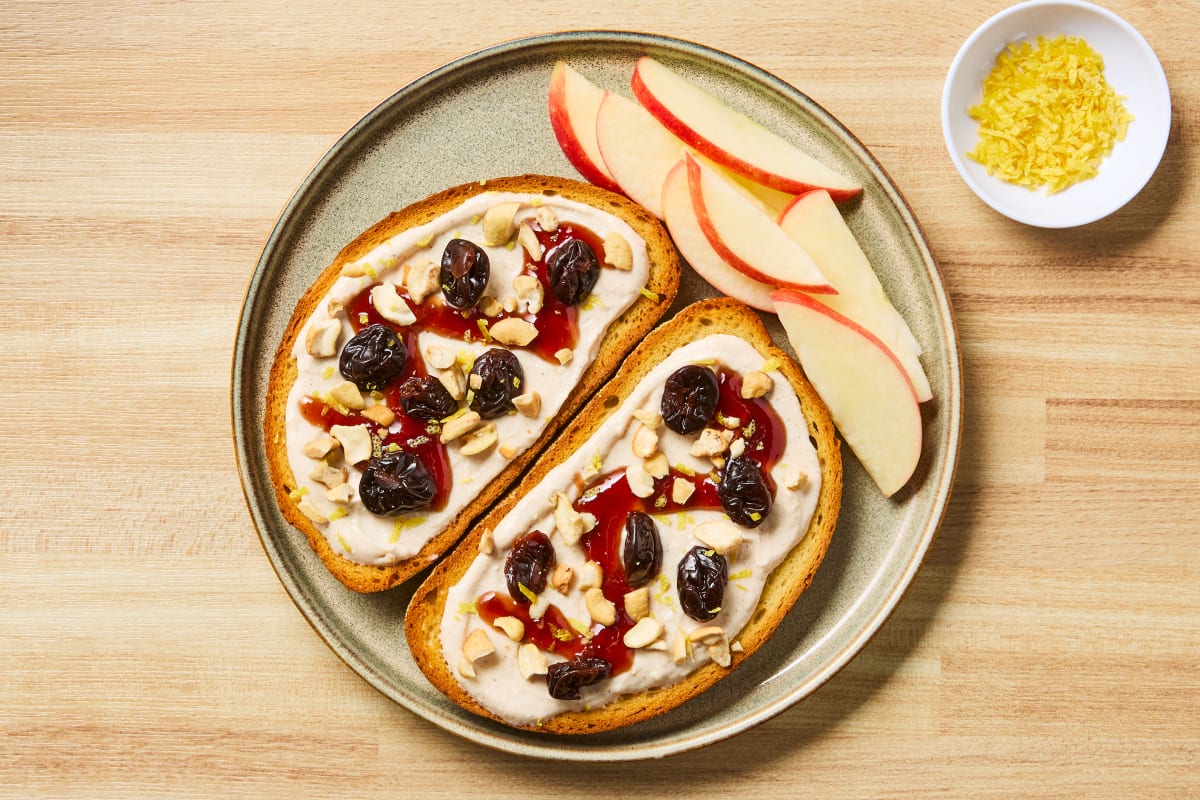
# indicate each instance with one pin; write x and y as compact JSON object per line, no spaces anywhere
{"x":322,"y":436}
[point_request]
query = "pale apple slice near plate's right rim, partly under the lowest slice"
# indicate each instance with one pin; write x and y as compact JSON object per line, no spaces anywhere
{"x":815,"y":222}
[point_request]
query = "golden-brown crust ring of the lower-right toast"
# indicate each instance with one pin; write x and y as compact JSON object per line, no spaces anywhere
{"x":783,"y":587}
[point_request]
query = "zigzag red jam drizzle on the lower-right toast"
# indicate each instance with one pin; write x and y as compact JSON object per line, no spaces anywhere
{"x":611,"y":501}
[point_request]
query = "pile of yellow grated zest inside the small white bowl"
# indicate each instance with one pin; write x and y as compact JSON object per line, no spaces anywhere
{"x":1048,"y":116}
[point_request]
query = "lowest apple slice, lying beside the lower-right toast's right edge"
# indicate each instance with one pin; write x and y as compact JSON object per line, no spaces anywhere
{"x":867,"y":390}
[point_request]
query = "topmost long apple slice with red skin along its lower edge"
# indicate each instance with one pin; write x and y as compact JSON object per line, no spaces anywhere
{"x":730,"y":139}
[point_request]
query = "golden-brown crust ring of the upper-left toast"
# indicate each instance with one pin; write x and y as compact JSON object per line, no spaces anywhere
{"x":621,"y":338}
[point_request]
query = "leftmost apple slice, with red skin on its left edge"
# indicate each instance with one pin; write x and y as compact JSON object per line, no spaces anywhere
{"x":574,"y":103}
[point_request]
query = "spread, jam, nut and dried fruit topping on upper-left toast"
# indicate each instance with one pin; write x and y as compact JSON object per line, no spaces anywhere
{"x":466,"y":297}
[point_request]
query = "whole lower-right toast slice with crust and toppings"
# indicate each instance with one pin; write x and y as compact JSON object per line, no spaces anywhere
{"x":494,"y":636}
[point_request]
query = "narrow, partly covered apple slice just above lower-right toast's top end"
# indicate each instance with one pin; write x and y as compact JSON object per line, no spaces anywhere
{"x":680,"y":214}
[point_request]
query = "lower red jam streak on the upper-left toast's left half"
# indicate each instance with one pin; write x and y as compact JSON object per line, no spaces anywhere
{"x":406,"y":432}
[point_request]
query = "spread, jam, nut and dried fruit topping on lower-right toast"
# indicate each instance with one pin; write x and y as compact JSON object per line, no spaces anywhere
{"x":692,"y":544}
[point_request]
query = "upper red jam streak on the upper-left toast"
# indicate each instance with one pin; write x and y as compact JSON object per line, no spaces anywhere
{"x":556,"y":323}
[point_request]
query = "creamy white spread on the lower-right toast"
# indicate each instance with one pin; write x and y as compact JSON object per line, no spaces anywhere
{"x":500,"y":685}
